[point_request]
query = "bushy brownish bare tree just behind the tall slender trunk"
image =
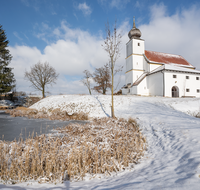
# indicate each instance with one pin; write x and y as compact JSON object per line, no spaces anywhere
{"x":102,"y":77}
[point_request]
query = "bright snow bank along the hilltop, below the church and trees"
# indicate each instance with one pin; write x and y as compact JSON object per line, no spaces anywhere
{"x":100,"y":106}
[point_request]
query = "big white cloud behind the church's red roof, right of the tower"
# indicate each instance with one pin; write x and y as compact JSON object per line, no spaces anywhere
{"x":176,"y":34}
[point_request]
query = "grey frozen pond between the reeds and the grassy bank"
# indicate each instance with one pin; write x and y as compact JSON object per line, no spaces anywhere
{"x":15,"y":127}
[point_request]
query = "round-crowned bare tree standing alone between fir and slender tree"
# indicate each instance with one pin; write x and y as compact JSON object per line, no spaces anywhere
{"x":41,"y":75}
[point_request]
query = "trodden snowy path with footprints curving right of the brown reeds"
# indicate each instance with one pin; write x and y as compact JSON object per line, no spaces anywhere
{"x":173,"y":155}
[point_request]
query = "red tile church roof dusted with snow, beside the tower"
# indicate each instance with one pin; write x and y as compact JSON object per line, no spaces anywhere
{"x":166,"y":58}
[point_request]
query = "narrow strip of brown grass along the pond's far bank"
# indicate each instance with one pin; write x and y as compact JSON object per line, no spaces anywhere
{"x":55,"y":114}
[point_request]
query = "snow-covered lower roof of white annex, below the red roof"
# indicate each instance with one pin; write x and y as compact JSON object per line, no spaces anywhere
{"x":174,"y":68}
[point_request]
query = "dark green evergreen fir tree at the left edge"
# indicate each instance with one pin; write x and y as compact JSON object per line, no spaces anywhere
{"x":7,"y":80}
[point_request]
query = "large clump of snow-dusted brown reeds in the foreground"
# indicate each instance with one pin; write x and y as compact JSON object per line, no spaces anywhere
{"x":102,"y":147}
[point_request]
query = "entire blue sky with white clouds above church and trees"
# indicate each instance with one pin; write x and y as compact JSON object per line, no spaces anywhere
{"x":69,"y":33}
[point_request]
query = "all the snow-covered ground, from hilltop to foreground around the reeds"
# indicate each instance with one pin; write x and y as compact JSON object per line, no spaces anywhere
{"x":172,"y":160}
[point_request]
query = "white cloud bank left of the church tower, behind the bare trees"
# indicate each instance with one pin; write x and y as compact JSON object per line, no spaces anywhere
{"x":75,"y":51}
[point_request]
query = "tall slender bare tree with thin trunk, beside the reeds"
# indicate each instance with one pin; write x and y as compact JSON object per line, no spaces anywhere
{"x":111,"y":45}
